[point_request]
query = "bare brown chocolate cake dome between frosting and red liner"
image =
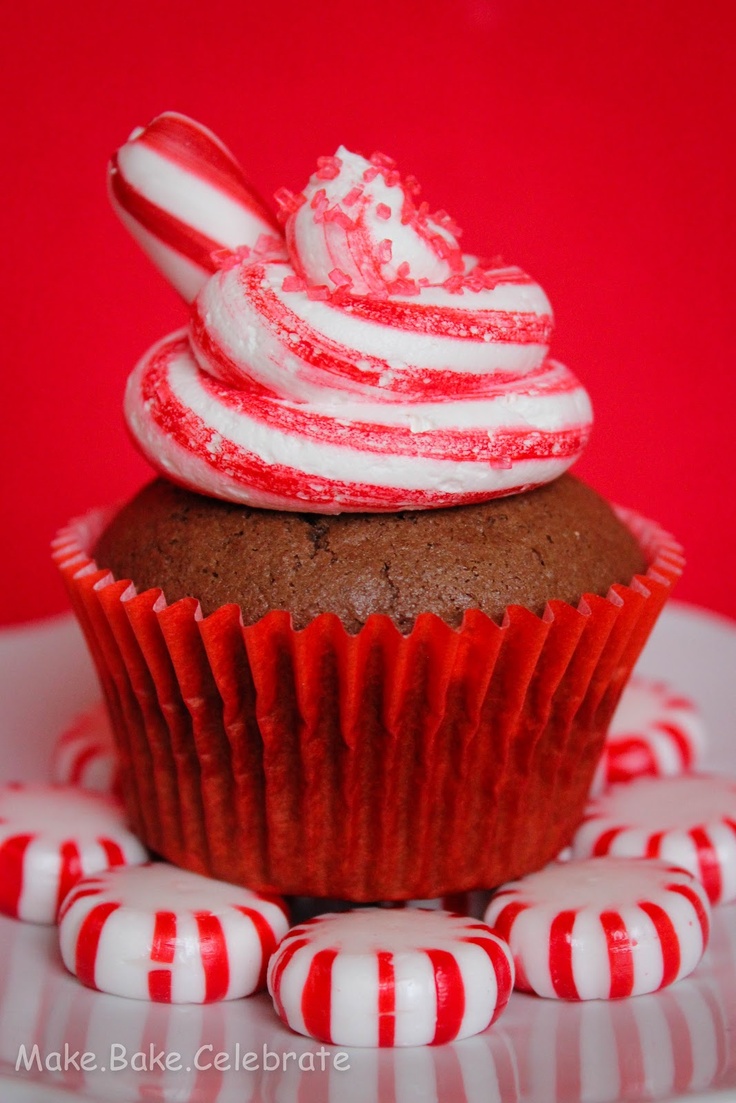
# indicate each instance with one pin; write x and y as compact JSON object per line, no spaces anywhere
{"x":558,"y":542}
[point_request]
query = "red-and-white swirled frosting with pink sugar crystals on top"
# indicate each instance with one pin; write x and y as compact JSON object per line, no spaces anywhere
{"x":367,"y":367}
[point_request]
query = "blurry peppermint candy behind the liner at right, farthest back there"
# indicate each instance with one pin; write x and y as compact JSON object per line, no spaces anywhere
{"x":655,"y":732}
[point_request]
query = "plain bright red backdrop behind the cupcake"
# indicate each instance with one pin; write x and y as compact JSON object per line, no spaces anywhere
{"x":590,"y":143}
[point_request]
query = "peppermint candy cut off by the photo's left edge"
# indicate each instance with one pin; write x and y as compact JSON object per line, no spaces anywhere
{"x":50,"y":838}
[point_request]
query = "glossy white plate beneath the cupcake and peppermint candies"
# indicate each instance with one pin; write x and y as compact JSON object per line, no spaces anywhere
{"x":675,"y":1044}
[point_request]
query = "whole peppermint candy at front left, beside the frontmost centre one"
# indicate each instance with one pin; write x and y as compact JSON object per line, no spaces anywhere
{"x":162,"y":934}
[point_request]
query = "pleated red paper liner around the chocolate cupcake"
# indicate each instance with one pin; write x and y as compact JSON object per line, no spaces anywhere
{"x":367,"y":767}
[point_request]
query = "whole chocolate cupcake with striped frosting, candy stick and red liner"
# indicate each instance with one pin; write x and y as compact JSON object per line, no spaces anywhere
{"x":364,"y":637}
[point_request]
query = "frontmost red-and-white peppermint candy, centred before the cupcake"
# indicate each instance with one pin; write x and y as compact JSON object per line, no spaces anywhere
{"x":379,"y":977}
